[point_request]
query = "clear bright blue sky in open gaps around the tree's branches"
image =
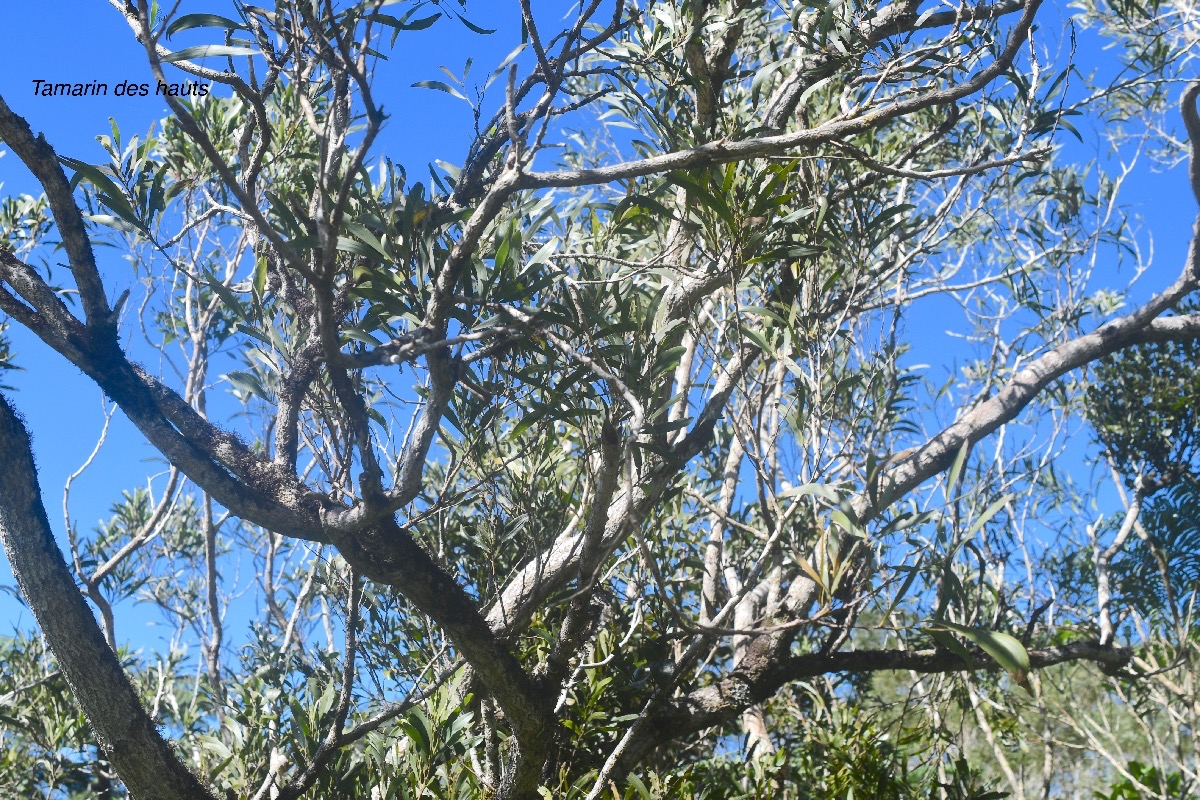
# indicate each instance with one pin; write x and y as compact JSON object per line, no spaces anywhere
{"x":82,"y":41}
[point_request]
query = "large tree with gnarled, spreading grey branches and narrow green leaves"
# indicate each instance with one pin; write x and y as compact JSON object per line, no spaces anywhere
{"x":604,"y":449}
